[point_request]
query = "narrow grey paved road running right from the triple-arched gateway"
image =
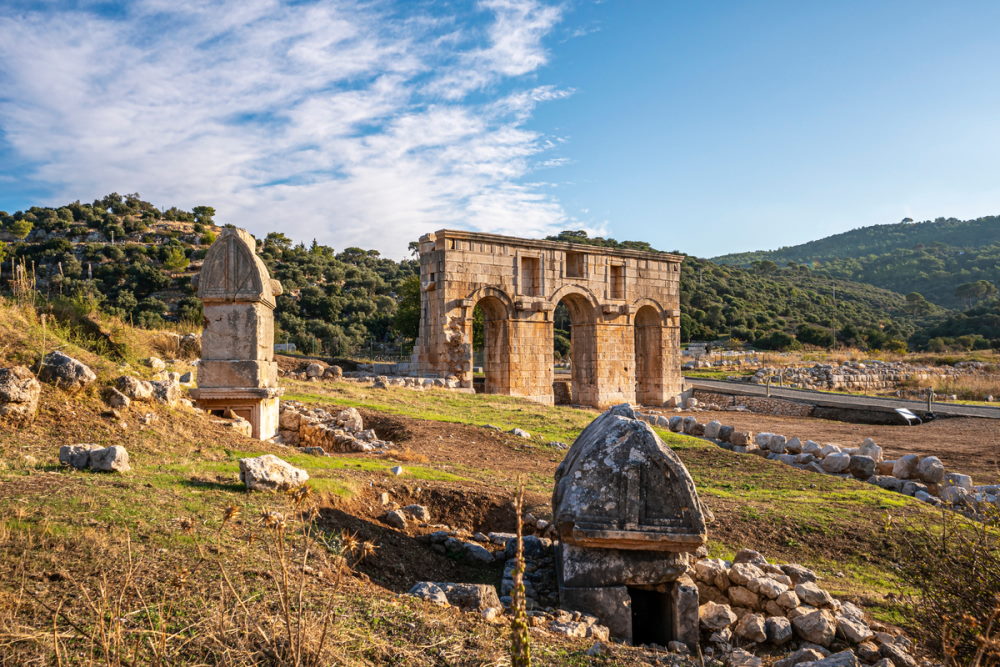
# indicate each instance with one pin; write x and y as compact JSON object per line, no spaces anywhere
{"x":842,"y":400}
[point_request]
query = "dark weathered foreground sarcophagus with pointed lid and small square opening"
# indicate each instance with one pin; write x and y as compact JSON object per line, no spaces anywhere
{"x":628,"y":515}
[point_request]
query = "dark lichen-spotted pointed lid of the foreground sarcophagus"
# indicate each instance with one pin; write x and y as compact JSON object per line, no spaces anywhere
{"x":621,"y":487}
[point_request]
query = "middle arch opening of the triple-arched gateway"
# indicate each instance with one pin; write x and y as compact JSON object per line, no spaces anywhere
{"x":575,"y":350}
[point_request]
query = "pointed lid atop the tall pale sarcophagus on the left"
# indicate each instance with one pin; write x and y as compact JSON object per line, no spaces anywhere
{"x":232,"y":271}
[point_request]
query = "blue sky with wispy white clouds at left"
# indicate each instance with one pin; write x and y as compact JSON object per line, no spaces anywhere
{"x":701,"y":127}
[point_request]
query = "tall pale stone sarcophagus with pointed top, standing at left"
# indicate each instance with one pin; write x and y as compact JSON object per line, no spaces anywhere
{"x":237,"y":374}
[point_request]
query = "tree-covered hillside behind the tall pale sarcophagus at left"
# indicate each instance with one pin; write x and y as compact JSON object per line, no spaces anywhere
{"x":132,"y":260}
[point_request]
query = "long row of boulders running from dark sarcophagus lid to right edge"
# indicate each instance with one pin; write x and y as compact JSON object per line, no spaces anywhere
{"x":923,"y":477}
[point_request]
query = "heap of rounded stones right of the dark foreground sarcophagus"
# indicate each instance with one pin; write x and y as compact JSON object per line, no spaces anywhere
{"x":750,"y":601}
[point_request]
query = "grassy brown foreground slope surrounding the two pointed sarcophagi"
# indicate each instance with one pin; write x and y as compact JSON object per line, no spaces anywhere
{"x":174,"y":562}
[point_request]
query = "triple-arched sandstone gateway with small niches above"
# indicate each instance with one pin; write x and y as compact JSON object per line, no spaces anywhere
{"x":624,"y":308}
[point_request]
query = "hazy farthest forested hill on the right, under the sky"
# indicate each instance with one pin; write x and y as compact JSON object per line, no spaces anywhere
{"x":943,"y":260}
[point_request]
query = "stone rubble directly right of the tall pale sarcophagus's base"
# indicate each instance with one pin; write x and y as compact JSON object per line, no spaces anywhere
{"x":320,"y":431}
